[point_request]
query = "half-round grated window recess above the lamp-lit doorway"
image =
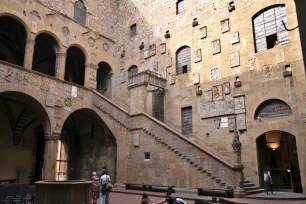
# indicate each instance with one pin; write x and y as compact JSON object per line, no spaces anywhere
{"x":272,"y":108}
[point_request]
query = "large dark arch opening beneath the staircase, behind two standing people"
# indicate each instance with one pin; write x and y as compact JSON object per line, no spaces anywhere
{"x":87,"y":146}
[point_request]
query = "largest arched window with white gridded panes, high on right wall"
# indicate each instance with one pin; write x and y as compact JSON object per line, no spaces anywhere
{"x":269,"y":30}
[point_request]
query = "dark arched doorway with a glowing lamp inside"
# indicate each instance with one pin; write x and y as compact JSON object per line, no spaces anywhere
{"x":277,"y":151}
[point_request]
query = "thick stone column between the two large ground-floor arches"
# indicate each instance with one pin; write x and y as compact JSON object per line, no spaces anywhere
{"x":51,"y":149}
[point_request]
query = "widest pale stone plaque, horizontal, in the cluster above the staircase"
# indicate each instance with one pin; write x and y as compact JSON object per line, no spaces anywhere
{"x":216,"y":108}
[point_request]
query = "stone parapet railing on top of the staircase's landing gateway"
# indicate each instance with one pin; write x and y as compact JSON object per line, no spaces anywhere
{"x":147,"y":78}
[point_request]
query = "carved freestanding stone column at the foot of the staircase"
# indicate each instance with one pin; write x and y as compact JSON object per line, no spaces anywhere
{"x":239,"y":192}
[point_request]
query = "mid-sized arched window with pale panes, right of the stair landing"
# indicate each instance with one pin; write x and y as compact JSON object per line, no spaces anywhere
{"x":183,"y":61}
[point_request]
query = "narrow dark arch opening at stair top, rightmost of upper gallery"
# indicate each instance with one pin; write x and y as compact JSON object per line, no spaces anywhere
{"x":104,"y":79}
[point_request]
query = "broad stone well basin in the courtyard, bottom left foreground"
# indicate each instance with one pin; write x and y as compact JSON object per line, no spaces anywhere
{"x":63,"y":192}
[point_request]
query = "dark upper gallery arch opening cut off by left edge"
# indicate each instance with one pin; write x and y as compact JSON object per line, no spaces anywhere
{"x":12,"y":40}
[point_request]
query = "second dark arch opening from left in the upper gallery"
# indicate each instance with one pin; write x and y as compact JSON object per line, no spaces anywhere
{"x":44,"y":58}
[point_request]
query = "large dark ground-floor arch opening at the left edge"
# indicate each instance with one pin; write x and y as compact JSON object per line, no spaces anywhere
{"x":23,"y":124}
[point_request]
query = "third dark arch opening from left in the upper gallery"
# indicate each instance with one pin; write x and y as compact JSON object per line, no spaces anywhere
{"x":75,"y":66}
